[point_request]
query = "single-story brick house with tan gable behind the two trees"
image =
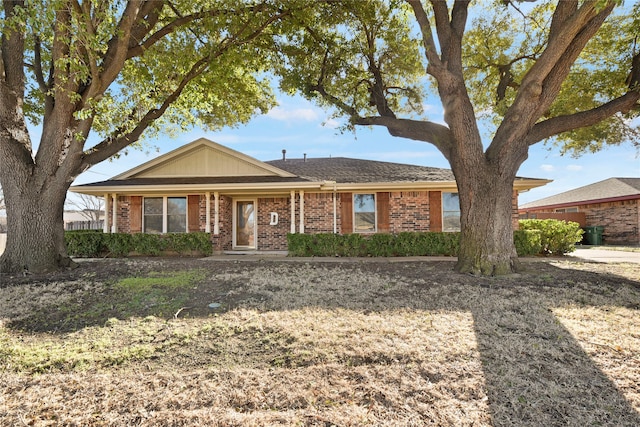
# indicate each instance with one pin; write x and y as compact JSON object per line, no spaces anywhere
{"x":247,"y":204}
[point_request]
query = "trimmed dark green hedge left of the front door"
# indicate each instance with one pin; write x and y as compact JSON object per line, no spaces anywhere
{"x":93,"y":243}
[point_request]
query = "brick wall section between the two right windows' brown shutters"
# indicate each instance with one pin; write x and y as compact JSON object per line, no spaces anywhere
{"x":409,"y":211}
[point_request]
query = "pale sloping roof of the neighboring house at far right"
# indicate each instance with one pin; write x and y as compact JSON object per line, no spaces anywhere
{"x":611,"y":189}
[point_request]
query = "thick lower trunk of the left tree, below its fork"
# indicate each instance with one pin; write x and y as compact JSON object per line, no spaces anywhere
{"x":35,"y":234}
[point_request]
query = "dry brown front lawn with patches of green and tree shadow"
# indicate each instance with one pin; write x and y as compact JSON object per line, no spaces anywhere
{"x":313,"y":343}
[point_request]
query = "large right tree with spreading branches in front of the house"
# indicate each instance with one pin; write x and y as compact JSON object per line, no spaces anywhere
{"x":566,"y":72}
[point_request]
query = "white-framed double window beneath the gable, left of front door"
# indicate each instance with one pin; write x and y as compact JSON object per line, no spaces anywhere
{"x":165,"y":215}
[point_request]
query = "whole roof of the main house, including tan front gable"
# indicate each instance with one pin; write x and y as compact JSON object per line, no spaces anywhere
{"x":203,"y":165}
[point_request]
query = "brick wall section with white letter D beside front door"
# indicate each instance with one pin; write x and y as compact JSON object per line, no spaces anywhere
{"x":274,"y":237}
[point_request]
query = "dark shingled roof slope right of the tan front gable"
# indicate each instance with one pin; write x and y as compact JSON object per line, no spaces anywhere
{"x":346,"y":170}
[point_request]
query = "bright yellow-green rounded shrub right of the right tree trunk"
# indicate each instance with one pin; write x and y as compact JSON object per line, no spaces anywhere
{"x":556,"y":237}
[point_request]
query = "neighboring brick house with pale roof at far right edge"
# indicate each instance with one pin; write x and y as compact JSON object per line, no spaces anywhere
{"x":613,"y":204}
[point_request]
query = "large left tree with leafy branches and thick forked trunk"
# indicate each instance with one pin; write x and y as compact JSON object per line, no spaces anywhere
{"x":117,"y":69}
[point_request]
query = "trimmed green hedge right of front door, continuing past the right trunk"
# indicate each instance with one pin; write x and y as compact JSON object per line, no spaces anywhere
{"x":527,"y":243}
